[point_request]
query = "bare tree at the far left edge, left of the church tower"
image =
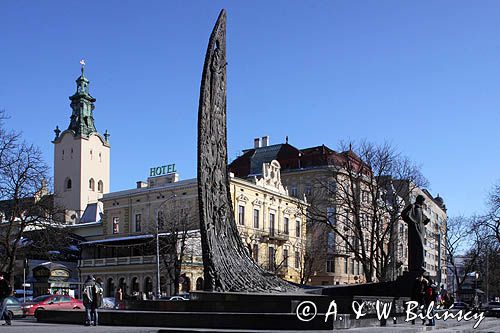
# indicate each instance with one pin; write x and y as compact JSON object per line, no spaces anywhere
{"x":25,"y":205}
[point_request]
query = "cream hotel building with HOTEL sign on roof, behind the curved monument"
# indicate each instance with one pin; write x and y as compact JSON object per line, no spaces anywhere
{"x":270,"y":222}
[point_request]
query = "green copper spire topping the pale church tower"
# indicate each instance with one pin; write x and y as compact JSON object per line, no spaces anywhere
{"x":82,"y":104}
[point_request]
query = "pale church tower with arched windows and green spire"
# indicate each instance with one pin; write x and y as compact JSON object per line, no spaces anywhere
{"x":81,"y":159}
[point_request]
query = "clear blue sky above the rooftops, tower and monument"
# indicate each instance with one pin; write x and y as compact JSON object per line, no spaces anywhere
{"x":423,"y":75}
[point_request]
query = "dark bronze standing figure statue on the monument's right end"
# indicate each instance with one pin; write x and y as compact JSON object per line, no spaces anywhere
{"x":414,"y":215}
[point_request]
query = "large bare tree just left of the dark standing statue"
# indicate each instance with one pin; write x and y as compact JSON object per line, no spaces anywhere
{"x":361,"y":201}
